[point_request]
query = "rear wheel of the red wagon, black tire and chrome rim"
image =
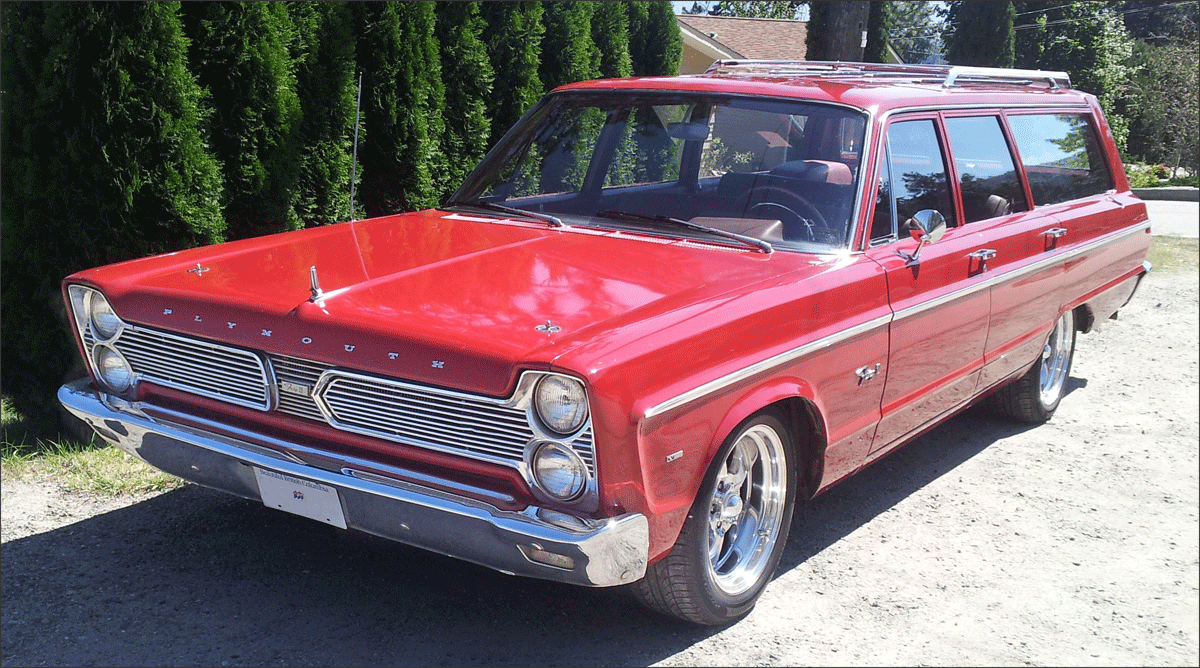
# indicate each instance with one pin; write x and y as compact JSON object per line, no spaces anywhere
{"x":1035,"y":396}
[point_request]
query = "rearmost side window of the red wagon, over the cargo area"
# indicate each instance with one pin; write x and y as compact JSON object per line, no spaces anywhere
{"x":1061,"y":155}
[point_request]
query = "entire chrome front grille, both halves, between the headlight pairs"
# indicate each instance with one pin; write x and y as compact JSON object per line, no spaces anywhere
{"x":467,"y":425}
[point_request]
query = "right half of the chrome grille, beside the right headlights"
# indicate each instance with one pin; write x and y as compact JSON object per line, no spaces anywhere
{"x":435,"y":419}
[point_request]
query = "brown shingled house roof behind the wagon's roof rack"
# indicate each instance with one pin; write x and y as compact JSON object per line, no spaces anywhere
{"x":749,"y":38}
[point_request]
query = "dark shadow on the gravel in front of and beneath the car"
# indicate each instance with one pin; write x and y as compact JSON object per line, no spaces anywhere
{"x":197,"y":577}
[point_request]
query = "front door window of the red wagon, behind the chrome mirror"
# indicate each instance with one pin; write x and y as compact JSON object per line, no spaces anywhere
{"x":919,"y":171}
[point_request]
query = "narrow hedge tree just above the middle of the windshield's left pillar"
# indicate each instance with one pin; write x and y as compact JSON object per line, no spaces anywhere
{"x":513,"y":35}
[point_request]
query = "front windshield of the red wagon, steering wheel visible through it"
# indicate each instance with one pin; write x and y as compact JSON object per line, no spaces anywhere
{"x":784,"y":172}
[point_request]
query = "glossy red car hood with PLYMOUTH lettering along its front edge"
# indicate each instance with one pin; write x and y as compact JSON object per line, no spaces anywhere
{"x":455,"y":300}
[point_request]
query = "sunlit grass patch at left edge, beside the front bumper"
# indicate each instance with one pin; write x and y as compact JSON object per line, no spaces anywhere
{"x":93,"y":467}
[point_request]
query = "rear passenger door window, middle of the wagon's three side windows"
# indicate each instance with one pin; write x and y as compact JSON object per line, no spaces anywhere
{"x":986,"y":168}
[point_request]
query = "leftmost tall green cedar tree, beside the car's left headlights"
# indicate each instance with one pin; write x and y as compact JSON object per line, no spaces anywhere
{"x":104,"y":161}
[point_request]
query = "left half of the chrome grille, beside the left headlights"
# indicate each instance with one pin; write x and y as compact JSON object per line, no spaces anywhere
{"x":201,"y":368}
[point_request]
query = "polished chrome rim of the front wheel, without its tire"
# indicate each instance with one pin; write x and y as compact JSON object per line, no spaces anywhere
{"x":747,"y":510}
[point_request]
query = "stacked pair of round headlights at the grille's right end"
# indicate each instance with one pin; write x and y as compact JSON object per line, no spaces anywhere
{"x":561,"y":407}
